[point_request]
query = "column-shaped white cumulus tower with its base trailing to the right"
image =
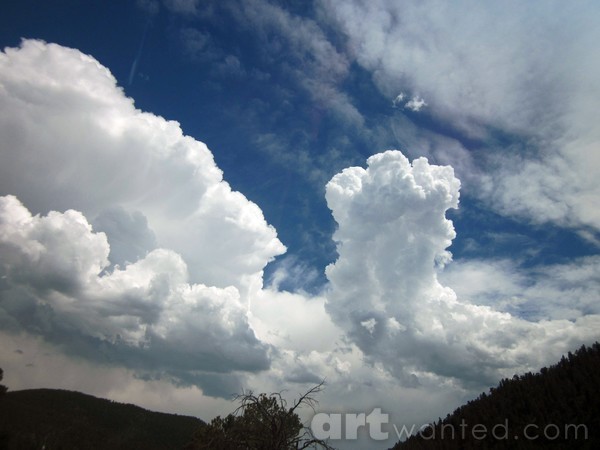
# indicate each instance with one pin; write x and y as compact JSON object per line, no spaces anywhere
{"x":384,"y":289}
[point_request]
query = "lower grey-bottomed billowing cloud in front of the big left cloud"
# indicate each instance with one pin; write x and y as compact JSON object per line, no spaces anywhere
{"x":145,"y":316}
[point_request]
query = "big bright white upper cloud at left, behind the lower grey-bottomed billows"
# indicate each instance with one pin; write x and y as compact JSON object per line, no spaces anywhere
{"x":71,"y":139}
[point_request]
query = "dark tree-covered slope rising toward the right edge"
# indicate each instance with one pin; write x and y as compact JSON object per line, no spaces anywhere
{"x":554,"y":408}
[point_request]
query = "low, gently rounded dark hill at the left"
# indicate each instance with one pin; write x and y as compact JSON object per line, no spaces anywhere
{"x":57,"y":419}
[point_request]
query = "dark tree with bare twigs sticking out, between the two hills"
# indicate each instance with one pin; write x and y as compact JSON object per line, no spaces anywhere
{"x":261,"y":422}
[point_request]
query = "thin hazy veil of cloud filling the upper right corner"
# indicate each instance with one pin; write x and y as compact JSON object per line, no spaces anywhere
{"x":527,"y":70}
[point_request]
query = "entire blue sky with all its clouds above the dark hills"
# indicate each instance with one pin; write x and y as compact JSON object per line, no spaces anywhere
{"x":201,"y":197}
